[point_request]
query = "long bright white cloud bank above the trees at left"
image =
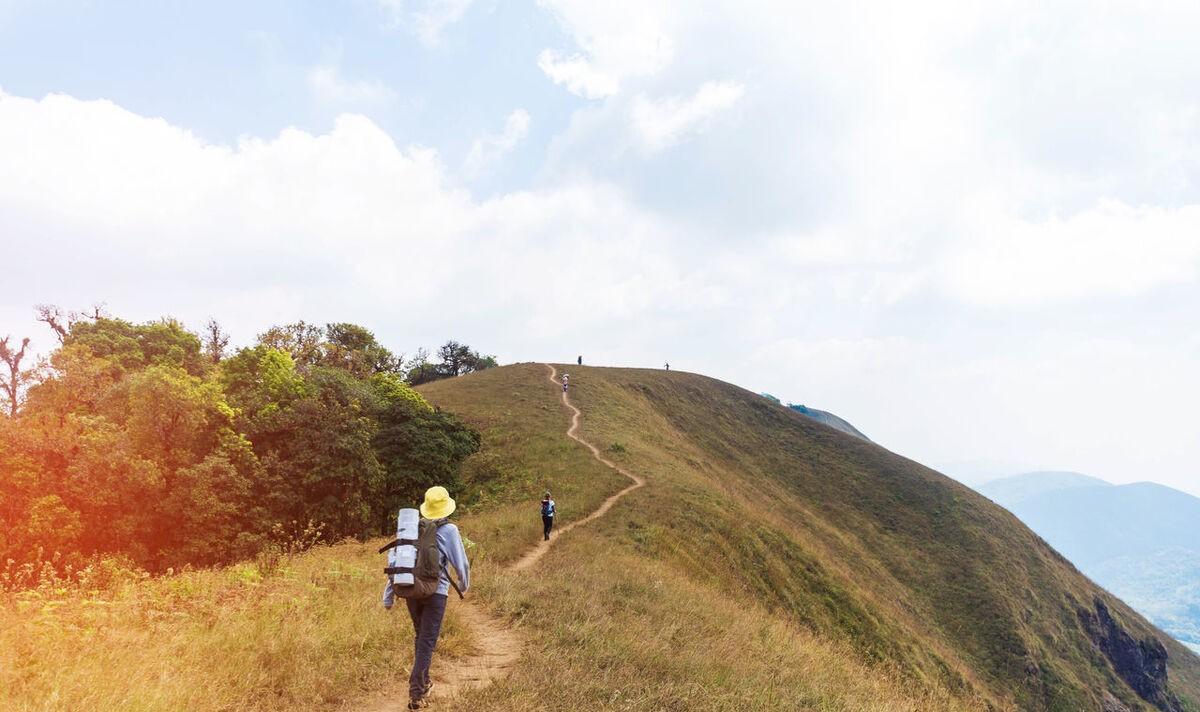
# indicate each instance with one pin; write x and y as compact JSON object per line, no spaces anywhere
{"x":151,"y":219}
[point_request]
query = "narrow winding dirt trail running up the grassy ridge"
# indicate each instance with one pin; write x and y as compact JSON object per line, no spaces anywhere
{"x":497,"y":645}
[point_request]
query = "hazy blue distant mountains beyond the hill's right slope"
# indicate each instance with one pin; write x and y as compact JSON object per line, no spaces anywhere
{"x":1142,"y":541}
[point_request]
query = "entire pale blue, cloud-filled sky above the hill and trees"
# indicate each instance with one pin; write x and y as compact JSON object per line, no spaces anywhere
{"x":974,"y":231}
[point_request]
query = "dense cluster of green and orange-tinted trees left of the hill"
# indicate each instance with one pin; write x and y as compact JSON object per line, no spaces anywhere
{"x":151,"y":442}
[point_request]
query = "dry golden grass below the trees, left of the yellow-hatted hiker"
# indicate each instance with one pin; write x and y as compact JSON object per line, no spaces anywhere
{"x":307,"y":636}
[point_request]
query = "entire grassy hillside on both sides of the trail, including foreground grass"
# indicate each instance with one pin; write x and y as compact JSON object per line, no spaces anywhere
{"x":770,"y":563}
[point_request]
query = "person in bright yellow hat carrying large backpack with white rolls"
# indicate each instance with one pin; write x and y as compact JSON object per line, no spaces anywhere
{"x":425,"y":583}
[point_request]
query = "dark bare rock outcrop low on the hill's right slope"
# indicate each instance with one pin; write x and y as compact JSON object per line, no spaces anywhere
{"x":1141,"y":663}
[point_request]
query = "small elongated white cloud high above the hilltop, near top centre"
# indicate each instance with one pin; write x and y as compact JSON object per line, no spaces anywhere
{"x":662,"y":123}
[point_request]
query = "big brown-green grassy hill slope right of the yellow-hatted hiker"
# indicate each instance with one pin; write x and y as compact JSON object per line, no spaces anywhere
{"x":758,"y":517}
